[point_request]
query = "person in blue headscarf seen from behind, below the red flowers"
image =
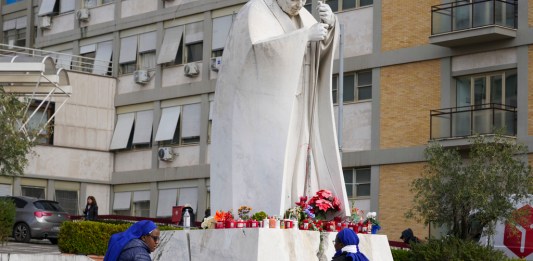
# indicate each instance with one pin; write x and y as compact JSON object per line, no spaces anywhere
{"x":347,"y":247}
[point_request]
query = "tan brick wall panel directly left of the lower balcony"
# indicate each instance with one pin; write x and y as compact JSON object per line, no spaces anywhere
{"x":408,"y":93}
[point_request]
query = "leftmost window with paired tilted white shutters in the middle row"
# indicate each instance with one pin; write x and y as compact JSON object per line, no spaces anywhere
{"x":128,"y":135}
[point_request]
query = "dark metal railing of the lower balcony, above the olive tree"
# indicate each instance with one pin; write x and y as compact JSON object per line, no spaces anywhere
{"x":461,"y":122}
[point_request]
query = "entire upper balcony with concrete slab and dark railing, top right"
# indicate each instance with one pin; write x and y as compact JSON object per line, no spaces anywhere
{"x":464,"y":23}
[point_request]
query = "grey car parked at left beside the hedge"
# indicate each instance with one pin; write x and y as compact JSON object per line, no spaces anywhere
{"x":37,"y":218}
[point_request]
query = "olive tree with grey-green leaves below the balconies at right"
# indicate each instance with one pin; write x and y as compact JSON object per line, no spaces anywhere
{"x":472,"y":188}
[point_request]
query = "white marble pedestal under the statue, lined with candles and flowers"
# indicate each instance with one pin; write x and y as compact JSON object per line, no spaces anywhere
{"x":260,"y":244}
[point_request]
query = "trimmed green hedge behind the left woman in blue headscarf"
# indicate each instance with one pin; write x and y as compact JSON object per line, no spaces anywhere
{"x":90,"y":237}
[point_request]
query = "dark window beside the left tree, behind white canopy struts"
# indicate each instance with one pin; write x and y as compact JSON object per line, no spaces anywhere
{"x":38,"y":122}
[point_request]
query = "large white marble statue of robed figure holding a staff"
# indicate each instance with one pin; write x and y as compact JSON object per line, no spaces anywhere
{"x":273,"y":136}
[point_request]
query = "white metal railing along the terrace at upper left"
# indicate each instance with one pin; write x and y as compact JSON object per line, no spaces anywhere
{"x":63,"y":60}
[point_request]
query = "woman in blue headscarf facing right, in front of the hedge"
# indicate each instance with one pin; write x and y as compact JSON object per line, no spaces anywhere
{"x":136,"y":243}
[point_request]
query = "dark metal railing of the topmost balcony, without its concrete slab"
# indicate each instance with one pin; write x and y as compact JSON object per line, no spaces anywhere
{"x":463,"y":15}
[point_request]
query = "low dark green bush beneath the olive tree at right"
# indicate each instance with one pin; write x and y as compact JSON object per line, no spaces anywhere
{"x":451,"y":248}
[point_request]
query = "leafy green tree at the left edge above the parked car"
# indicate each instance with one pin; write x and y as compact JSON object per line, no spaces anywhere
{"x":14,"y":144}
